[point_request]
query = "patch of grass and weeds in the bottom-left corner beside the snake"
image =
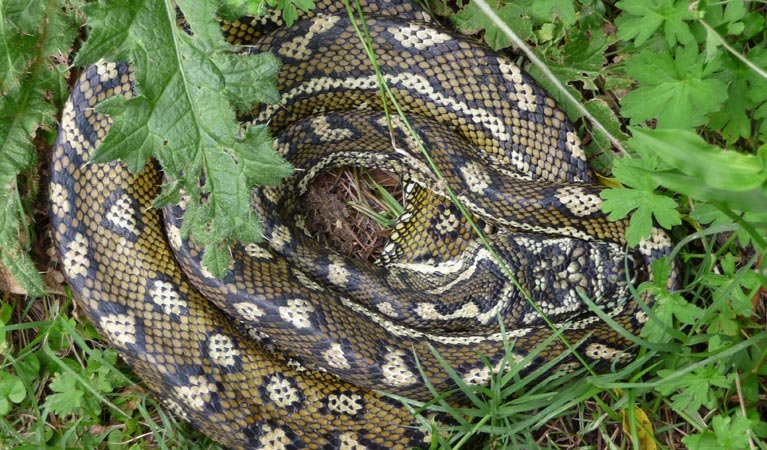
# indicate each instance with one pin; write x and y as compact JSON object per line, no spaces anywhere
{"x":63,"y":393}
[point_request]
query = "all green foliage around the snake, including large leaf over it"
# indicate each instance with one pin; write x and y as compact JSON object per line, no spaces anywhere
{"x":688,"y":76}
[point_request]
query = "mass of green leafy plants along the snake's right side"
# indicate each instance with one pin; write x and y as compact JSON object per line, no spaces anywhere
{"x":690,"y":78}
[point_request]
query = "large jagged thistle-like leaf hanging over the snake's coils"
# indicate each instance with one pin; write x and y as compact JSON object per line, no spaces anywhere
{"x":184,"y":116}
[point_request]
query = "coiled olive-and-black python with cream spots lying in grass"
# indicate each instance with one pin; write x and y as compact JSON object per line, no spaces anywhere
{"x":292,"y":348}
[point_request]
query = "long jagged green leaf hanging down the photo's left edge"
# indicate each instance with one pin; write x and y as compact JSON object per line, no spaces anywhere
{"x":33,"y":36}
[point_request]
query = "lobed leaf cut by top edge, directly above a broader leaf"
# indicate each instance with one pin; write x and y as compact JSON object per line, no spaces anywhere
{"x":642,"y":18}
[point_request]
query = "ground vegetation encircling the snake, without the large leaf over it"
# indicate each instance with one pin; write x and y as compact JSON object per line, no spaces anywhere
{"x":679,"y":88}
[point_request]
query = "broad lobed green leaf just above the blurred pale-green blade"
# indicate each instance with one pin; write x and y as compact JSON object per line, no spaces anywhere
{"x":678,"y":92}
